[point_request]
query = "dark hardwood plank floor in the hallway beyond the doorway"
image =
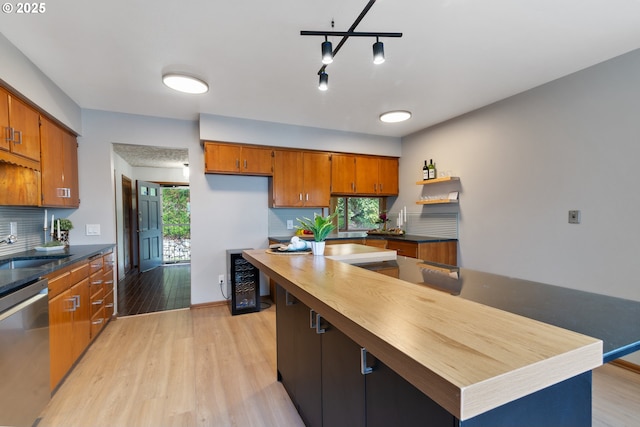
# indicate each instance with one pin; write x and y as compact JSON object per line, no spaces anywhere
{"x":167,"y":287}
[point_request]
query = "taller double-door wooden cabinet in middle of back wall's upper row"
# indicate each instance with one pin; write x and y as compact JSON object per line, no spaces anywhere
{"x":300,"y":179}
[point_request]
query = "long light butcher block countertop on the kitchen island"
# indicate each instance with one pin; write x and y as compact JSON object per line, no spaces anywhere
{"x":468,"y":357}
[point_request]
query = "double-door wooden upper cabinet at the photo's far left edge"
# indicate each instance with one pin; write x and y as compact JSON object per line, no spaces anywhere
{"x":20,"y":131}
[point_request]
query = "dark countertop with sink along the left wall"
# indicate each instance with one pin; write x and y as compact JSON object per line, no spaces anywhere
{"x":12,"y":279}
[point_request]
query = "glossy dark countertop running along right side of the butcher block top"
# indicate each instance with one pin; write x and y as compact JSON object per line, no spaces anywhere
{"x":615,"y":321}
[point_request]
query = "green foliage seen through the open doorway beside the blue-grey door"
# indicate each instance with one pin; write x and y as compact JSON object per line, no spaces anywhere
{"x":176,"y":212}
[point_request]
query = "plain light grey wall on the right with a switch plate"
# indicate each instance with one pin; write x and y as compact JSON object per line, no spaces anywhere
{"x":526,"y":161}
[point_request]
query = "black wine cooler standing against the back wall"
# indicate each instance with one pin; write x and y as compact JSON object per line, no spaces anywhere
{"x":244,"y":281}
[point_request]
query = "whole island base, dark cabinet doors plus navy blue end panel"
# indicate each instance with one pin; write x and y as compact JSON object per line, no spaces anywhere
{"x":322,"y":374}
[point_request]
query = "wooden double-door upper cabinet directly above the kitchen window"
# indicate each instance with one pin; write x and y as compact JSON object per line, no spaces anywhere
{"x":364,"y":175}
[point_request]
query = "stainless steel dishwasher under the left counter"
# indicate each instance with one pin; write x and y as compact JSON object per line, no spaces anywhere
{"x":24,"y":354}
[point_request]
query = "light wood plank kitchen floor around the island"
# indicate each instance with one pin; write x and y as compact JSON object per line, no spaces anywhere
{"x":204,"y":367}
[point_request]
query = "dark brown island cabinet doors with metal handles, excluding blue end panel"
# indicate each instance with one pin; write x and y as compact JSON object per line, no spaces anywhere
{"x":322,"y":374}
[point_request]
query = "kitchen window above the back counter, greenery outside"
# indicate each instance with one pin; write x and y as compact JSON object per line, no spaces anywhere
{"x":358,"y":213}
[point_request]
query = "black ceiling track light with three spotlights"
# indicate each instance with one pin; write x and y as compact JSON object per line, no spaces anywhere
{"x":328,"y":55}
